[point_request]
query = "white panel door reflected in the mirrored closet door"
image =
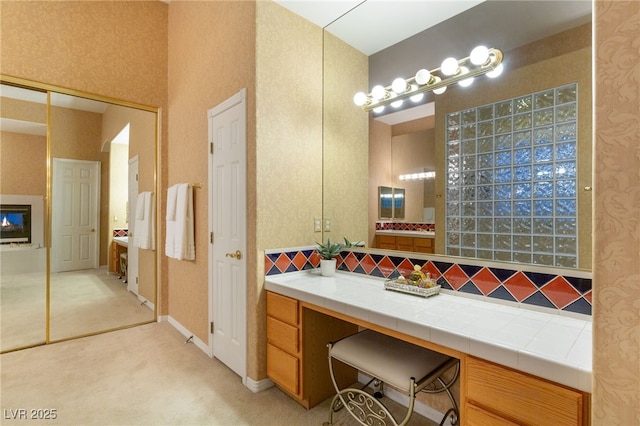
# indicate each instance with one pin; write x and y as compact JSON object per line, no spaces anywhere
{"x":75,"y":197}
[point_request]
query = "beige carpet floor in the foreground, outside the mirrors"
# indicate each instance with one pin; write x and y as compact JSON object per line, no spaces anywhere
{"x":143,"y":375}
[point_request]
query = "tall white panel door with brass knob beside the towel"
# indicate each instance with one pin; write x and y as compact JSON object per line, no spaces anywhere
{"x":227,"y":220}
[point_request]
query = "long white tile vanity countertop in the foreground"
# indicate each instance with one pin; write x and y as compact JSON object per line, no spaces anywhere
{"x":547,"y":345}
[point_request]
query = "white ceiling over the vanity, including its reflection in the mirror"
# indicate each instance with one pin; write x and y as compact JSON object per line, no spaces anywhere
{"x":393,"y":21}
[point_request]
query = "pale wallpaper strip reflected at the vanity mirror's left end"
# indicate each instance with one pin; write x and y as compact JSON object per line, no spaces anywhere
{"x":345,"y":138}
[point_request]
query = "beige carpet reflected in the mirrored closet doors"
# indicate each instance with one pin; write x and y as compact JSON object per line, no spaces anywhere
{"x":82,"y":302}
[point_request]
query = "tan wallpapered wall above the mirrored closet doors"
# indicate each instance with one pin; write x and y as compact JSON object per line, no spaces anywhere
{"x":116,"y":49}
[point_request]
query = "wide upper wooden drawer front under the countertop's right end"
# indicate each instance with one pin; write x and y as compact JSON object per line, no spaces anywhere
{"x":520,"y":397}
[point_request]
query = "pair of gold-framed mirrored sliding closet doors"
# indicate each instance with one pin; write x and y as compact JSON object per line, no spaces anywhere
{"x":102,"y":155}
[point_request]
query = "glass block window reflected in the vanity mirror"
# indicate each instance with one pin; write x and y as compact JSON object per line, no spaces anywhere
{"x":512,"y":180}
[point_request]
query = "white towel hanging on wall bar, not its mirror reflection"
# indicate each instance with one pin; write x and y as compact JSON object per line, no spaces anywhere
{"x":180,"y":242}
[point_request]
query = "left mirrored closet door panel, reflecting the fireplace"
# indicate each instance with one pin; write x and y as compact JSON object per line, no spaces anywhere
{"x":23,"y":185}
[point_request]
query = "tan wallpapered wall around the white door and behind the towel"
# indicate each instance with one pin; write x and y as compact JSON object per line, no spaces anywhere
{"x":211,"y":58}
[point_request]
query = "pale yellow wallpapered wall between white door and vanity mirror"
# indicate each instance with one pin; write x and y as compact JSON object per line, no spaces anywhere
{"x":288,"y":147}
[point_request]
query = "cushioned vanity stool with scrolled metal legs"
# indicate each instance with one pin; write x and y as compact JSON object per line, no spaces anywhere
{"x":406,"y":366}
